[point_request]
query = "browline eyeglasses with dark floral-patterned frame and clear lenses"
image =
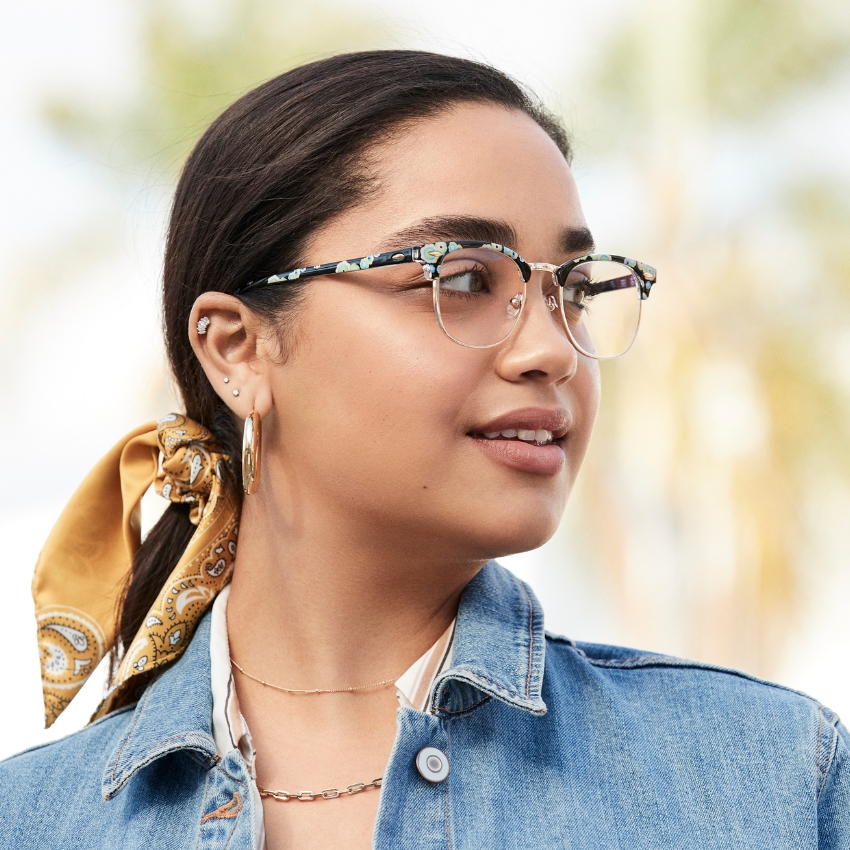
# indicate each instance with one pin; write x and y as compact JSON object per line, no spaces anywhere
{"x":480,"y":290}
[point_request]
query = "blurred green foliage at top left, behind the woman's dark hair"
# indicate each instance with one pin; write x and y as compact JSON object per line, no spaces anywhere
{"x":195,"y":61}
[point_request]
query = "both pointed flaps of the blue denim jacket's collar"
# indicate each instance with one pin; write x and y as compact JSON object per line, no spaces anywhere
{"x":498,"y":652}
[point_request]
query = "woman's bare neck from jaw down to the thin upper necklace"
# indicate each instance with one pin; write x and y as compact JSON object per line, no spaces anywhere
{"x":335,"y":601}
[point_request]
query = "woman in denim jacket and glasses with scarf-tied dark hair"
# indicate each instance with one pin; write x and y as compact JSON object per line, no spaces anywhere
{"x":344,"y":276}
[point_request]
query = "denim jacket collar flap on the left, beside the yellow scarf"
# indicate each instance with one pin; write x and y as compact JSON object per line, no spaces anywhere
{"x":174,"y":713}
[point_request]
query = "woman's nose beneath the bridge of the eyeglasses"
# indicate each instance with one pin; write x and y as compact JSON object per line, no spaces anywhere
{"x":539,"y":348}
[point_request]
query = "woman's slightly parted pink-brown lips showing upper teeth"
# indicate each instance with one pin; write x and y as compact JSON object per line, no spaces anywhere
{"x":528,"y":440}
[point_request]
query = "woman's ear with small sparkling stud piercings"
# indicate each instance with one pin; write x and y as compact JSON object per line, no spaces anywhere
{"x":233,"y":348}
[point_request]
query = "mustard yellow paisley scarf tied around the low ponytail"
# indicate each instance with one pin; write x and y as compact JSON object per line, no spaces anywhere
{"x":81,"y":570}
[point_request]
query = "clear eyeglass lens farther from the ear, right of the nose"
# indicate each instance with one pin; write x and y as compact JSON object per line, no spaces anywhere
{"x":601,"y":306}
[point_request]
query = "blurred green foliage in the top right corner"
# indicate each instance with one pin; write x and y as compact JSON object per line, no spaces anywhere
{"x":740,"y":57}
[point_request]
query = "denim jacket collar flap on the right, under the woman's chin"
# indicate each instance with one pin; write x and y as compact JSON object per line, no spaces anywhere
{"x":499,"y":647}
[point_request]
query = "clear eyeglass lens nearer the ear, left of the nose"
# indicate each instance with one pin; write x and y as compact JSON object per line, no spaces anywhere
{"x":479,"y":296}
